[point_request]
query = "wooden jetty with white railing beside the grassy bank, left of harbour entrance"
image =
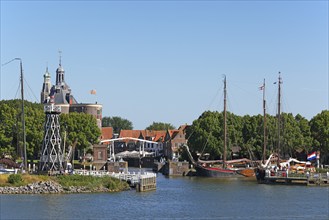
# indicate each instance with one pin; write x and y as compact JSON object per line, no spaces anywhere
{"x":142,"y":181}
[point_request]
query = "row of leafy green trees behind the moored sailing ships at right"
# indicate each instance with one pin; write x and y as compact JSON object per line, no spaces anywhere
{"x":297,"y":134}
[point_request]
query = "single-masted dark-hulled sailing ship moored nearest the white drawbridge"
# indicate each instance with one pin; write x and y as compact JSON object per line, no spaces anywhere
{"x":223,"y":168}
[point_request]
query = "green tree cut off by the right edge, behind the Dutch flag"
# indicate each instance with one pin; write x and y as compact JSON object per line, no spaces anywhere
{"x":320,"y":132}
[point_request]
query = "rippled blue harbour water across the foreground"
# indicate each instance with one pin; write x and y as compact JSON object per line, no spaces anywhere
{"x":178,"y":198}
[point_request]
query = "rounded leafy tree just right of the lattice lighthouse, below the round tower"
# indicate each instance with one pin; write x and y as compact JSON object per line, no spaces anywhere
{"x":82,"y":130}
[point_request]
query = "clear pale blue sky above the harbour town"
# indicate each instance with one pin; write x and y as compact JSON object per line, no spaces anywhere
{"x":164,"y":60}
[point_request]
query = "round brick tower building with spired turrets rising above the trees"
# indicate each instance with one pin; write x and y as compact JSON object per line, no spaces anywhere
{"x":60,"y":94}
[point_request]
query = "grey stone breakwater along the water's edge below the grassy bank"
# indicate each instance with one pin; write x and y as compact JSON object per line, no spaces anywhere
{"x":48,"y":187}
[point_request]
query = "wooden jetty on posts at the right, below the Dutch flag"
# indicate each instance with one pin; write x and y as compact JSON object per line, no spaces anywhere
{"x":309,"y":179}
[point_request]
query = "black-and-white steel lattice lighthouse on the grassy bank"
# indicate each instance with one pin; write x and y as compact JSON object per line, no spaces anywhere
{"x":52,"y":157}
